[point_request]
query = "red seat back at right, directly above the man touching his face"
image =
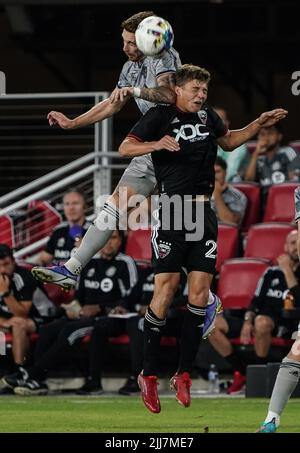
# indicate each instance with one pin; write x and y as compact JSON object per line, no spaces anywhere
{"x":266,"y":240}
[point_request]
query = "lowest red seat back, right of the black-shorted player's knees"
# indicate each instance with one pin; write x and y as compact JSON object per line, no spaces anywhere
{"x":238,"y":280}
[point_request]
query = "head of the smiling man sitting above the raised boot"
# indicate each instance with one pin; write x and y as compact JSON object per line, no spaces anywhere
{"x":74,"y":206}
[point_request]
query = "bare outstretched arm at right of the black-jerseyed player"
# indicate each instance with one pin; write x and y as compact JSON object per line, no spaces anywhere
{"x":235,"y":138}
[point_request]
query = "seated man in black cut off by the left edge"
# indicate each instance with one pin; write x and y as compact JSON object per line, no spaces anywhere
{"x":18,"y":315}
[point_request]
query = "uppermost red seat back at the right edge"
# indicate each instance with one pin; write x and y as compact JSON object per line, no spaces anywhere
{"x":280,"y":205}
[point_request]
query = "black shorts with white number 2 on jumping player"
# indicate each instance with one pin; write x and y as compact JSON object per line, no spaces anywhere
{"x":171,"y":251}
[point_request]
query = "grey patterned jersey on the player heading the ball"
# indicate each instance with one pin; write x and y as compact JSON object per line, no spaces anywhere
{"x":144,"y":74}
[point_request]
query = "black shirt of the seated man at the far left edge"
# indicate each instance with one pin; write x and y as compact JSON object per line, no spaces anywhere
{"x":22,"y":287}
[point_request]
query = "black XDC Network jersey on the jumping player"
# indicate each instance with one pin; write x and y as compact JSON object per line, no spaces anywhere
{"x":189,"y":171}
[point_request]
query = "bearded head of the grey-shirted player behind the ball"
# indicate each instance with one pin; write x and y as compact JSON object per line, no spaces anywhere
{"x":129,"y":27}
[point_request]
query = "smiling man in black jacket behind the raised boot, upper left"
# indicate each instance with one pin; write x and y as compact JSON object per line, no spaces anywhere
{"x":62,"y":242}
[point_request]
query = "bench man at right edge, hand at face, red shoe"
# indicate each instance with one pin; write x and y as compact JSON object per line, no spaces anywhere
{"x":263,"y":318}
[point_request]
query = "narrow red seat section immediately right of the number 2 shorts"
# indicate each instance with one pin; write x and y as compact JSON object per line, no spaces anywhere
{"x":228,"y":239}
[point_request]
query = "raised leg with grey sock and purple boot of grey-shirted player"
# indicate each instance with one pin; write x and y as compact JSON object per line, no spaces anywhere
{"x":138,"y":178}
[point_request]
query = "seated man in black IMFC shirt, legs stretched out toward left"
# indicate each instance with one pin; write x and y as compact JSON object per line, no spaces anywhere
{"x":105,"y":286}
